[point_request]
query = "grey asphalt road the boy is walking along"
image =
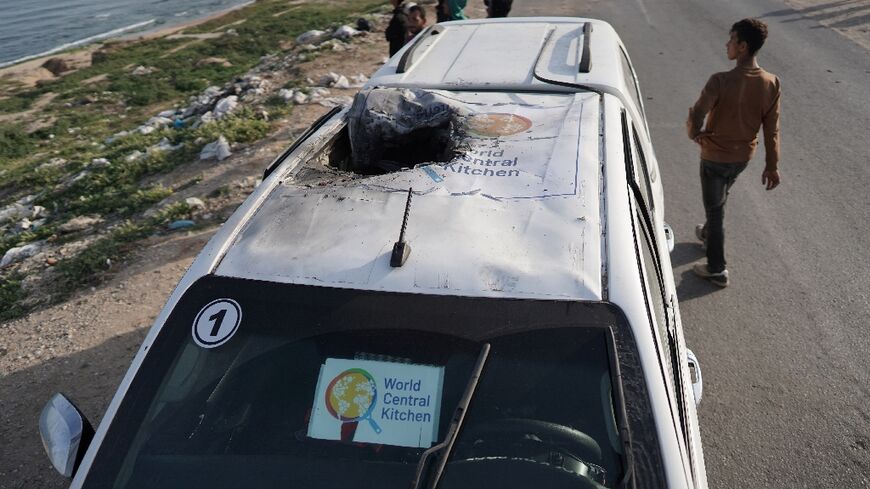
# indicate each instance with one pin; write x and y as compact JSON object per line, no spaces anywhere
{"x":784,"y":350}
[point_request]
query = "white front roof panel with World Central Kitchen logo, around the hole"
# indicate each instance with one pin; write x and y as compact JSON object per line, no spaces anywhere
{"x":516,"y":213}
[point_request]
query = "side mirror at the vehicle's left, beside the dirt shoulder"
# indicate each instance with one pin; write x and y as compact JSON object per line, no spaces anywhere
{"x":65,"y":433}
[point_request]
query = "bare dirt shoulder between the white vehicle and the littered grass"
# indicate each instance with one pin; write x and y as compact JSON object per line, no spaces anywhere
{"x":82,"y":347}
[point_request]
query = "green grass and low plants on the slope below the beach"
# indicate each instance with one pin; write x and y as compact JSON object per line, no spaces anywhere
{"x":54,"y":158}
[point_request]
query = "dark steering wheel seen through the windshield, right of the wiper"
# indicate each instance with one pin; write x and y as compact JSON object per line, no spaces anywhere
{"x":499,"y":441}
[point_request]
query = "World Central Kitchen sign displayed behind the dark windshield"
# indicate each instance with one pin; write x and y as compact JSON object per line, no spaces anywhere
{"x":377,"y":402}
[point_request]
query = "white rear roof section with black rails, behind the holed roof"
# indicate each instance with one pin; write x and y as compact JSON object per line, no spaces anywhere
{"x":534,"y":53}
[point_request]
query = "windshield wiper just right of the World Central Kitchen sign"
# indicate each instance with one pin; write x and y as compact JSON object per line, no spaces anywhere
{"x":423,"y":470}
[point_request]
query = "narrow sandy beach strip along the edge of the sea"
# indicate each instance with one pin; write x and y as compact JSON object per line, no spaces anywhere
{"x":27,"y":73}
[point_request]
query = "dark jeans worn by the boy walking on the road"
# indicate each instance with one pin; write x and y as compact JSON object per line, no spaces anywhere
{"x":716,"y":181}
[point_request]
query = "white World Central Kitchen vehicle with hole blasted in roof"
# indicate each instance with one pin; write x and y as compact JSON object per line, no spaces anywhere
{"x":460,"y":281}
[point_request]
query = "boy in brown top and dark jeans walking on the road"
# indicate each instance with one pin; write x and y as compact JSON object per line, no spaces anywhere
{"x":735,"y":104}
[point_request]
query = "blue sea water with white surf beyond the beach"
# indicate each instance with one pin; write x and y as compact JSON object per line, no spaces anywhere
{"x":33,"y":28}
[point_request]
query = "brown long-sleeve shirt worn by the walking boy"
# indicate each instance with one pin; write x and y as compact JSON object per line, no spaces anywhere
{"x":737,"y":104}
